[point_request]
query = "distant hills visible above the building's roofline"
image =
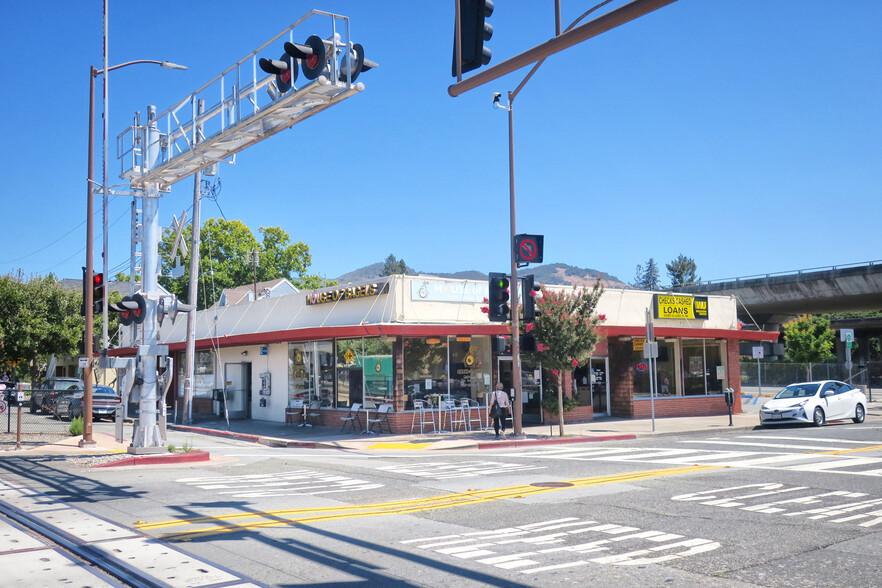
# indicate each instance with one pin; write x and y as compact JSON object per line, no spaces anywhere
{"x":552,"y":273}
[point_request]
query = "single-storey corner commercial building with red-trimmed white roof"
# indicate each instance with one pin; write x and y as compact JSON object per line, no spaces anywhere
{"x":402,"y":339}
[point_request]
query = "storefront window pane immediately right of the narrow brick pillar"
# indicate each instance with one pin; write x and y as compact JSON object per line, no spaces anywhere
{"x":425,"y":369}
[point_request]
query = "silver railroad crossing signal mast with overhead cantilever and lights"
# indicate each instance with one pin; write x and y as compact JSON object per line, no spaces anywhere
{"x":258,"y":98}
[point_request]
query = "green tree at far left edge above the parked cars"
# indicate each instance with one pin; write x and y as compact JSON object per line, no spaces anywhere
{"x":38,"y":319}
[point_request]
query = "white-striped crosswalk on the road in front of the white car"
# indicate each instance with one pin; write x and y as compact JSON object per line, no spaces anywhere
{"x":836,"y":456}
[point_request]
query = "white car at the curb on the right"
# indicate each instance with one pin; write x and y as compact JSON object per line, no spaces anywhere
{"x":815,"y":402}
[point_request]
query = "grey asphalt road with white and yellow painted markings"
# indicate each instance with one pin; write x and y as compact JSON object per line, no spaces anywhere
{"x":791,"y":506}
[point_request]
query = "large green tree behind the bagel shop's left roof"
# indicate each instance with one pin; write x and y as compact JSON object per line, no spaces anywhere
{"x":225,"y":260}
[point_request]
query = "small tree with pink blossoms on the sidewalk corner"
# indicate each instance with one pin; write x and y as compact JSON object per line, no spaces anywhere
{"x":566,"y":333}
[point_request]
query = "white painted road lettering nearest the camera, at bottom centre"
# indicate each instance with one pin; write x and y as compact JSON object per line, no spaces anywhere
{"x":561,"y":543}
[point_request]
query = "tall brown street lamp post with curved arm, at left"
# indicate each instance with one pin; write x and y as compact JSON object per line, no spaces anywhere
{"x":89,"y":300}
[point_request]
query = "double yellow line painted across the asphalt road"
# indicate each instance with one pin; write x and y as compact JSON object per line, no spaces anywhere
{"x":260,"y":520}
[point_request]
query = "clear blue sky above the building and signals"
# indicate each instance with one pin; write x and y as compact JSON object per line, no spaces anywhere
{"x":745,"y":134}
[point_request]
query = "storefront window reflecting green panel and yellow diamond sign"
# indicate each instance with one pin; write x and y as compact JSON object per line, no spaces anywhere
{"x":364,"y":371}
